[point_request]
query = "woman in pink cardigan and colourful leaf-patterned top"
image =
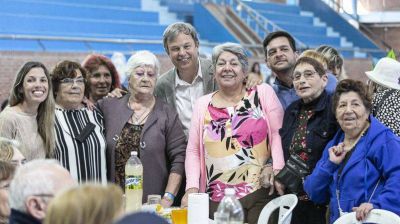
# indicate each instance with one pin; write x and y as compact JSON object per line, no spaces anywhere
{"x":234,"y":132}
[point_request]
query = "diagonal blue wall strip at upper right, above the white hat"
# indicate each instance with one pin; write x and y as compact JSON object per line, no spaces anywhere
{"x":334,"y":20}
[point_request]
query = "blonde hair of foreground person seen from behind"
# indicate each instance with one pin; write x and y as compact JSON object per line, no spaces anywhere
{"x":86,"y":204}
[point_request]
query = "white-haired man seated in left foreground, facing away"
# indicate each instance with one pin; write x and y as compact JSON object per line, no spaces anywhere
{"x":34,"y":185}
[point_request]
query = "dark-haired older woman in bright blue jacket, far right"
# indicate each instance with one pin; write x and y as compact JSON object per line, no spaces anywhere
{"x":360,"y":166}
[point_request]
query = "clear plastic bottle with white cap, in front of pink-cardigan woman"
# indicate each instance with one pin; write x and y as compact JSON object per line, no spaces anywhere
{"x":230,"y":209}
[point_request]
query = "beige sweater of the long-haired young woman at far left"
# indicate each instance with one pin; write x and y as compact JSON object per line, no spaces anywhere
{"x":23,"y":128}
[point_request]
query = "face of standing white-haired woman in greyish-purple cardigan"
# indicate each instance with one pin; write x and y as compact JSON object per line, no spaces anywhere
{"x":143,"y":80}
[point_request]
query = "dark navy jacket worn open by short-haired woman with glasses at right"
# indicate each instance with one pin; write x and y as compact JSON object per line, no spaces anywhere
{"x":321,"y":127}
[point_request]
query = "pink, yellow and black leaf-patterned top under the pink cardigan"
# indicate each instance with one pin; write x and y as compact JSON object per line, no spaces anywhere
{"x":236,"y":147}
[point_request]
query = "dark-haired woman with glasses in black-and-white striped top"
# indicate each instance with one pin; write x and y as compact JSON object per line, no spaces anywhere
{"x":80,"y":141}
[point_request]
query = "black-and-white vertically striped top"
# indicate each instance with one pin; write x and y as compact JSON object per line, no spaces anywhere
{"x":84,"y":158}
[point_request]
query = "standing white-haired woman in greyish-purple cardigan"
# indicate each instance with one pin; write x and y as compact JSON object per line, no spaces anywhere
{"x":140,"y":122}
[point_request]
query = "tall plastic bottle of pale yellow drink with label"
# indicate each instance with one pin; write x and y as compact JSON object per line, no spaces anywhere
{"x":133,"y":183}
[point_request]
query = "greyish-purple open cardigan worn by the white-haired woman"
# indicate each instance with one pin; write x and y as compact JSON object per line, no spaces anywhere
{"x":162,"y":137}
